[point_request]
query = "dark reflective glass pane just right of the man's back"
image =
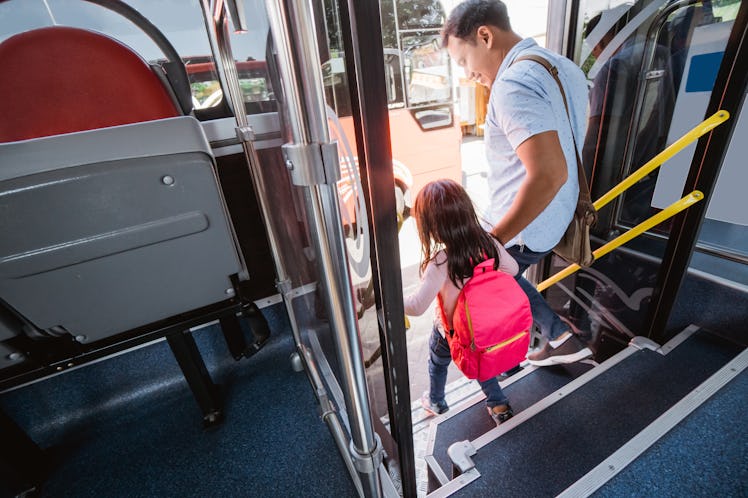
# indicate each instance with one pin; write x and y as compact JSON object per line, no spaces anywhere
{"x":631,"y":103}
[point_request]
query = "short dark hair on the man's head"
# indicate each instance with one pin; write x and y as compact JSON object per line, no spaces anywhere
{"x":467,"y":17}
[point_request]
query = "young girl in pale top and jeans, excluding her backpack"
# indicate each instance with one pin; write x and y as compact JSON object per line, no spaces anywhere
{"x":452,"y":243}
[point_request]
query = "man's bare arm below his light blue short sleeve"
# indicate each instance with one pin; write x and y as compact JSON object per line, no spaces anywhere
{"x":544,"y":161}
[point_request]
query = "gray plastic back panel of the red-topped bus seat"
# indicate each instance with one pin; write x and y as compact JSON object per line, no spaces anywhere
{"x":114,"y":228}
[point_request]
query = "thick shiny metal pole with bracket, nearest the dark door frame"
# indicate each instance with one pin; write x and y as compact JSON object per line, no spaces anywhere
{"x":314,"y":165}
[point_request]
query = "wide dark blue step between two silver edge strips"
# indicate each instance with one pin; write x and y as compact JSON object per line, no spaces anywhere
{"x":551,"y":444}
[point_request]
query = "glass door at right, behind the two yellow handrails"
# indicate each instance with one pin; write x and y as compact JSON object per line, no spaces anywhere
{"x":654,"y":70}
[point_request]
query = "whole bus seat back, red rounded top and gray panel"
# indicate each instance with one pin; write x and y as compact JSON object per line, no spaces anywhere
{"x":117,"y":216}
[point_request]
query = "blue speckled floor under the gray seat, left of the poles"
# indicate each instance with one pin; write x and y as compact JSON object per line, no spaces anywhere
{"x":149,"y":441}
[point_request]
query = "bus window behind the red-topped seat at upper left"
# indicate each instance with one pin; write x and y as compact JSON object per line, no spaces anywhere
{"x":182,"y":22}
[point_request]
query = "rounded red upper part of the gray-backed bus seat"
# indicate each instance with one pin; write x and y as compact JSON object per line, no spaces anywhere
{"x":62,"y":80}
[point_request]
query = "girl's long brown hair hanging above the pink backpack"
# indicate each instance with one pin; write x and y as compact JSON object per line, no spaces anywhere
{"x":446,"y":218}
